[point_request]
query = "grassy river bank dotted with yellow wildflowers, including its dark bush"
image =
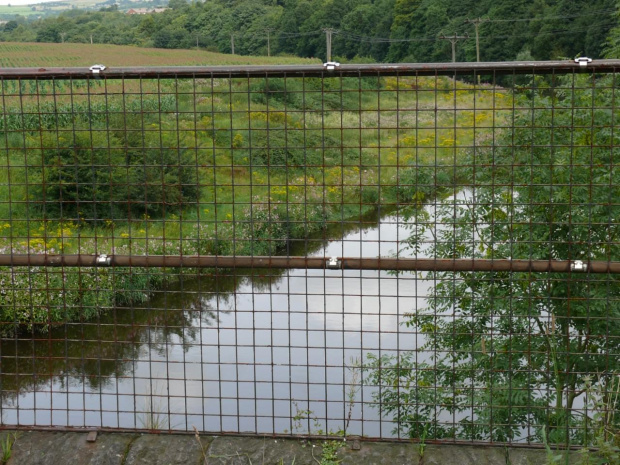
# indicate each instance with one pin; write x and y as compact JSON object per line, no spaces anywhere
{"x":222,"y":166}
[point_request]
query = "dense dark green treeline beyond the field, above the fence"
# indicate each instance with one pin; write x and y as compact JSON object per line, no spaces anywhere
{"x":373,"y":30}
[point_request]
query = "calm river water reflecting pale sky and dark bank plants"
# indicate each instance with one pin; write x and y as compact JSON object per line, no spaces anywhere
{"x":242,"y":351}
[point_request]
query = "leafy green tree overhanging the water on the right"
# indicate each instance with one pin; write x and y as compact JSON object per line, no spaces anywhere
{"x":515,"y":352}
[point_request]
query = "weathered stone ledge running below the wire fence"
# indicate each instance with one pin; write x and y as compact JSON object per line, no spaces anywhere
{"x":62,"y":448}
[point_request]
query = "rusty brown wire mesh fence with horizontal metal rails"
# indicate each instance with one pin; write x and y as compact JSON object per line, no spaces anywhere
{"x":422,"y":251}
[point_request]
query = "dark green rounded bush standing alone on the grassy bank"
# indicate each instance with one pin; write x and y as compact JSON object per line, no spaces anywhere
{"x":95,"y":175}
